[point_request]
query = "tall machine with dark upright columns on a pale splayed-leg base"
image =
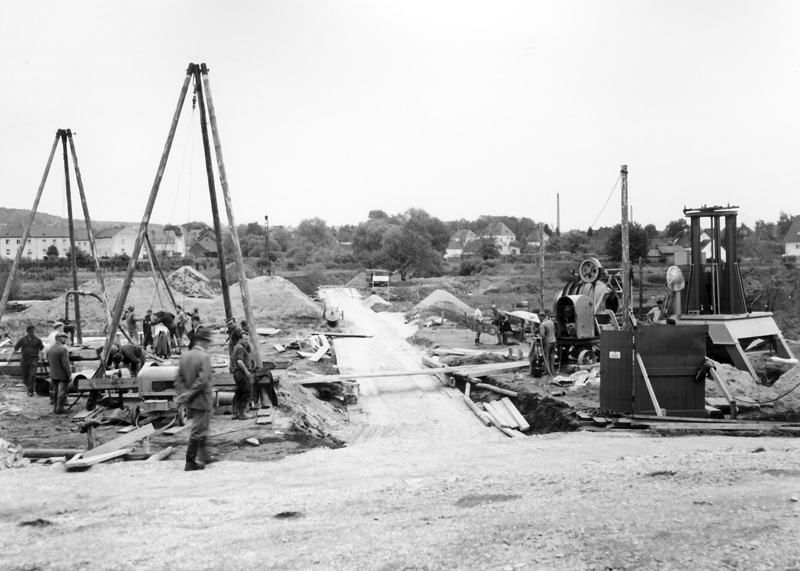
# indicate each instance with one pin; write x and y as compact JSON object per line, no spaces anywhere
{"x":714,"y":294}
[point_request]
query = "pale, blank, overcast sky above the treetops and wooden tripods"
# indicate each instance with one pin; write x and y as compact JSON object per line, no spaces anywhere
{"x":330,"y":109}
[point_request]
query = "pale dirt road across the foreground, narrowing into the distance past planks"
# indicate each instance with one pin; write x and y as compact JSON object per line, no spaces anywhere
{"x":423,"y":486}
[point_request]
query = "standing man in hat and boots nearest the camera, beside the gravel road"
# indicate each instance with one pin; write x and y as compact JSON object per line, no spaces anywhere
{"x":195,"y":388}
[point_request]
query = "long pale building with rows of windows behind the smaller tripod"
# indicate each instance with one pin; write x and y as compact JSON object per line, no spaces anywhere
{"x":40,"y":238}
